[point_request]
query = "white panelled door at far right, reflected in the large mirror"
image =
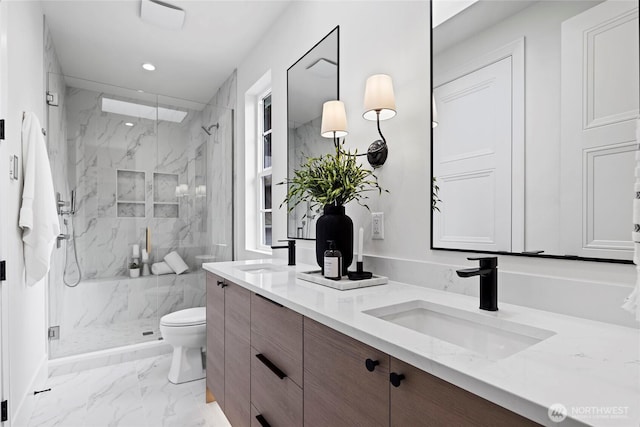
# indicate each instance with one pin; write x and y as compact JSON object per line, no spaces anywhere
{"x":600,"y":93}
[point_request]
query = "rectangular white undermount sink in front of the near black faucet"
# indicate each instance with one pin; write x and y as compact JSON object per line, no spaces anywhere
{"x":490,"y":336}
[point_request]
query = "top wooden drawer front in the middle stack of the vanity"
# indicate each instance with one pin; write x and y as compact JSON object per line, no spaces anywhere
{"x":276,"y":332}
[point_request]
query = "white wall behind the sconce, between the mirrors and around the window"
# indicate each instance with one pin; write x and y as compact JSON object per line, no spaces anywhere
{"x":375,"y":37}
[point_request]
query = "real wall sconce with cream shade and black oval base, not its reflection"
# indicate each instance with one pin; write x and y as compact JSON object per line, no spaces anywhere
{"x":379,"y":104}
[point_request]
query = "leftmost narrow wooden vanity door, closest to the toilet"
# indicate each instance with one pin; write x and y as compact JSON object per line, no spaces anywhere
{"x":215,"y":338}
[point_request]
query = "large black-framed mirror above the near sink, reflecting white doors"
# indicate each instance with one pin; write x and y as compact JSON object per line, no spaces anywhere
{"x":533,"y":138}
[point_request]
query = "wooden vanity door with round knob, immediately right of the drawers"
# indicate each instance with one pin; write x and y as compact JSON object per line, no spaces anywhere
{"x":338,"y":388}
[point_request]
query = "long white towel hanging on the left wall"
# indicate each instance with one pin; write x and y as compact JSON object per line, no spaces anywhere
{"x":38,"y":213}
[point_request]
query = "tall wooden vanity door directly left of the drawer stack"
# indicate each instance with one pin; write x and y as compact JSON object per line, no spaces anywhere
{"x":237,"y":386}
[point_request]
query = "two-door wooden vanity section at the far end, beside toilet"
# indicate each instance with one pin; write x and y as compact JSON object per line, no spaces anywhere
{"x":229,"y":348}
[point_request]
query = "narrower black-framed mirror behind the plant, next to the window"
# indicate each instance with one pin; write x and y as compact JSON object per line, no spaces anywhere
{"x":311,"y":81}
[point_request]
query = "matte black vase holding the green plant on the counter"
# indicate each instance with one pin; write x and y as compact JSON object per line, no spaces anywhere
{"x":334,"y":225}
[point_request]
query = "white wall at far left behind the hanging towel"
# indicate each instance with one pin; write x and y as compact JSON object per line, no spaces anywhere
{"x":27,"y":323}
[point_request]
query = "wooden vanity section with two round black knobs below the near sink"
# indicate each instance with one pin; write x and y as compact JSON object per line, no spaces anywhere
{"x":340,"y":390}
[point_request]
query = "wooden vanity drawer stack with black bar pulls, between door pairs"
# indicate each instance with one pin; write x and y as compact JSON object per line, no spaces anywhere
{"x":276,"y":364}
